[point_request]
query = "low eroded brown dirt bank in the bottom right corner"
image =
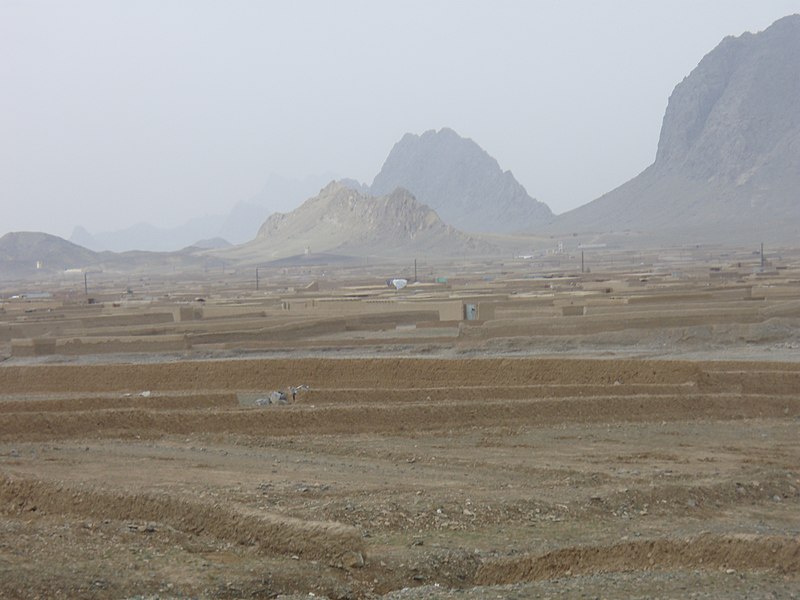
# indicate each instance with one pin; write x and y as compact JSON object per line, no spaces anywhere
{"x":706,"y":552}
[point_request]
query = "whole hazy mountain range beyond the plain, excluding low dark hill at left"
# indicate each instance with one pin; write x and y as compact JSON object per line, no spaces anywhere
{"x":727,"y":169}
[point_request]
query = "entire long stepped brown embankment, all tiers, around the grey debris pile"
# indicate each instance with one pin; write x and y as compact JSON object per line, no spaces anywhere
{"x":376,"y":396}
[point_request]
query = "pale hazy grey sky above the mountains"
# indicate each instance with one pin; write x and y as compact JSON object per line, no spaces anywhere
{"x":117,"y":112}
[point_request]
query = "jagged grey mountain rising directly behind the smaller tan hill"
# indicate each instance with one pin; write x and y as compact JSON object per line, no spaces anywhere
{"x":461,"y":182}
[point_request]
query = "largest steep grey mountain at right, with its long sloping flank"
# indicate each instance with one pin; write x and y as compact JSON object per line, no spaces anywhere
{"x":728,"y":160}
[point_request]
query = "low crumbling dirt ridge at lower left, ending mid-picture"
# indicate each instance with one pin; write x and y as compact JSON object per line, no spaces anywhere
{"x":336,"y":543}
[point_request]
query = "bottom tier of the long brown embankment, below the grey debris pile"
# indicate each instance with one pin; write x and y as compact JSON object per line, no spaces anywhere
{"x":327,"y":419}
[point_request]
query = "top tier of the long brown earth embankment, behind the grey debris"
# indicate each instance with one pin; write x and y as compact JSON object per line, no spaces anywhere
{"x":332,"y":373}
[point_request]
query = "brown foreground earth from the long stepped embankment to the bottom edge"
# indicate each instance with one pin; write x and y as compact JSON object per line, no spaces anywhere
{"x":467,"y":478}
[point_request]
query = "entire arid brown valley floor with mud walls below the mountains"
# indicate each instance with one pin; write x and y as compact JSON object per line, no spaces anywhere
{"x":623,"y":428}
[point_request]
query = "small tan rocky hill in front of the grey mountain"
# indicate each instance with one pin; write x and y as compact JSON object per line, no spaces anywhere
{"x":343,"y":221}
